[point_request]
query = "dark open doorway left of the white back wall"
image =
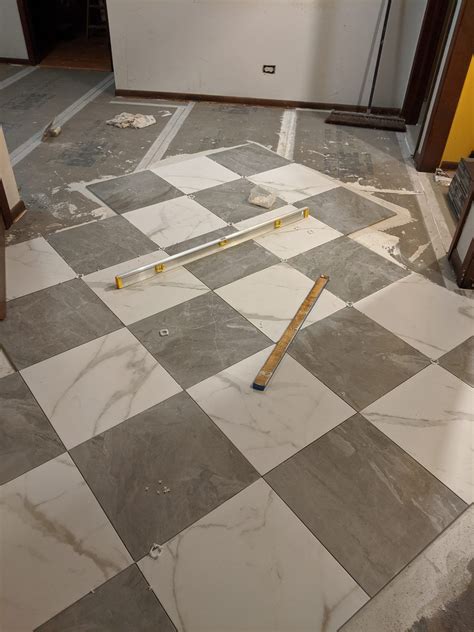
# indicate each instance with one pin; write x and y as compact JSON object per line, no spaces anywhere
{"x":67,"y":33}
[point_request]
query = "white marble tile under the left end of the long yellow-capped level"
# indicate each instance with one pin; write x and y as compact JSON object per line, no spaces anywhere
{"x":148,"y":297}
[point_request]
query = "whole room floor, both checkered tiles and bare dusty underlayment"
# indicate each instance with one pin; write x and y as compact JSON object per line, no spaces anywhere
{"x":144,"y":483}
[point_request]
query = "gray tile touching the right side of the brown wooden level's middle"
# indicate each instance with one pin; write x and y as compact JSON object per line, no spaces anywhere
{"x":355,"y":357}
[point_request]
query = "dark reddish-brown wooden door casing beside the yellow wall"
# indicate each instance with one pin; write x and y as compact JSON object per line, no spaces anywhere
{"x":429,"y":154}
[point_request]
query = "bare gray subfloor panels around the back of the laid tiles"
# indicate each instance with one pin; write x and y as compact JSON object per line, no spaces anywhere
{"x":51,"y":177}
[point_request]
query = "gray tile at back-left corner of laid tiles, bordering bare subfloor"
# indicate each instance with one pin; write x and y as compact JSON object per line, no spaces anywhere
{"x":136,"y":190}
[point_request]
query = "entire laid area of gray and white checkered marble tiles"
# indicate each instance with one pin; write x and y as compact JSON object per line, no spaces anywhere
{"x":278,"y":511}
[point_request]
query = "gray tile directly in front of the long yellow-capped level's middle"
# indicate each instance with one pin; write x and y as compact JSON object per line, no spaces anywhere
{"x":230,"y":265}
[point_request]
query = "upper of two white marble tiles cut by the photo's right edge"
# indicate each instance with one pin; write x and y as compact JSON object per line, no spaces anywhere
{"x":428,"y":317}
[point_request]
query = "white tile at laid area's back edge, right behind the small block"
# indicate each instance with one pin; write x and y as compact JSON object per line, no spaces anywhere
{"x":294,"y":182}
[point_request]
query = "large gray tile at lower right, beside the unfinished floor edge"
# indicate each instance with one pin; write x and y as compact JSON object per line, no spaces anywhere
{"x":371,"y":505}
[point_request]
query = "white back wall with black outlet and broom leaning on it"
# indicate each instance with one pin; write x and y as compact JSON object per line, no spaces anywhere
{"x":323,"y":49}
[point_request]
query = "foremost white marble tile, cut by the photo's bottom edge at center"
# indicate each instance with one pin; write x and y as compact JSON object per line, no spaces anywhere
{"x":250,"y":566}
